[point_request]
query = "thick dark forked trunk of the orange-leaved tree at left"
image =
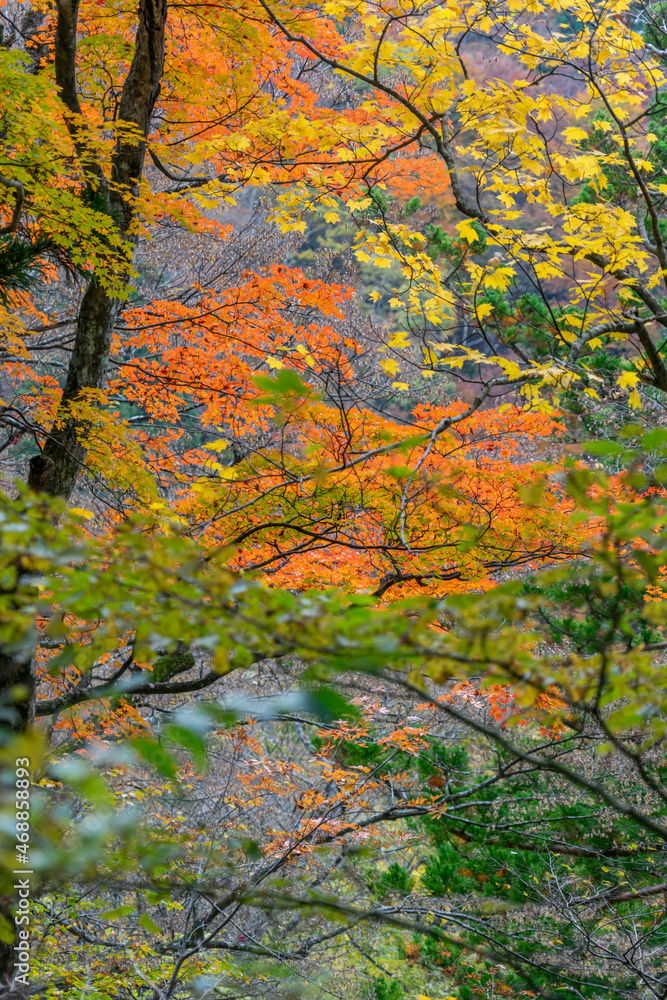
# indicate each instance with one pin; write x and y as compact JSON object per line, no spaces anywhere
{"x":57,"y":469}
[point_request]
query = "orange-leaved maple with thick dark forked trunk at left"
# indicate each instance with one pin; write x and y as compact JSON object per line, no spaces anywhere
{"x":386,"y":526}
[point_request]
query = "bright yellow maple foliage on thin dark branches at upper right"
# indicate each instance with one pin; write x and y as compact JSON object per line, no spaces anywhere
{"x":566,"y":281}
